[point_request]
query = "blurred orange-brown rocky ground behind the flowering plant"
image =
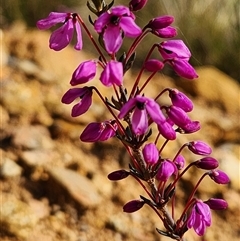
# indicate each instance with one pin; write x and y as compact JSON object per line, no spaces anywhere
{"x":53,"y":187}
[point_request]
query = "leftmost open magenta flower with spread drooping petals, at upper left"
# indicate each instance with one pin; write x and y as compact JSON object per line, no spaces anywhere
{"x":61,"y":37}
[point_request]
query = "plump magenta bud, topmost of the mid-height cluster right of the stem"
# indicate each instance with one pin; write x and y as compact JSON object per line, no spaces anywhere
{"x":180,"y":100}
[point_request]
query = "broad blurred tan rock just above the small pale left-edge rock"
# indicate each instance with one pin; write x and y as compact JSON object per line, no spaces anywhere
{"x":32,"y":137}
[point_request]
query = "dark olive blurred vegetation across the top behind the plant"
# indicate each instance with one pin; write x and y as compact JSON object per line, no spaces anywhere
{"x":210,"y":28}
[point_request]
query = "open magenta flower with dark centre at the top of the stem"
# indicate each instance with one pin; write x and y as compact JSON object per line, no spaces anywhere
{"x":112,"y":23}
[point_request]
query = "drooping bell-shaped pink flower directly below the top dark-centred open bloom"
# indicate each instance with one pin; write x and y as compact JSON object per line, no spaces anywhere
{"x":112,"y":73}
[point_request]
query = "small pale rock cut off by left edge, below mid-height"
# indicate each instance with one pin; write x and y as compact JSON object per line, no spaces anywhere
{"x":10,"y":168}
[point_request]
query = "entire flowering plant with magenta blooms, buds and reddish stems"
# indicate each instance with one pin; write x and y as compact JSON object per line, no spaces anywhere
{"x":134,"y":114}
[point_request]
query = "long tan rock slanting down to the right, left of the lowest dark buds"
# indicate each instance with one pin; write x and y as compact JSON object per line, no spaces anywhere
{"x":79,"y":187}
